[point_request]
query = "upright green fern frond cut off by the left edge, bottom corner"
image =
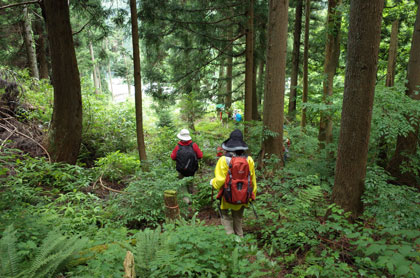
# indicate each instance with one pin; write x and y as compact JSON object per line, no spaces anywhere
{"x":9,"y":260}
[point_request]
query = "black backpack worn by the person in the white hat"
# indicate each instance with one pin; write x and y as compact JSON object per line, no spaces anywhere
{"x":186,"y":160}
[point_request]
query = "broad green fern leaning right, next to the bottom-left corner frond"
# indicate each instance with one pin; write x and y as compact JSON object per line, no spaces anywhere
{"x":53,"y":254}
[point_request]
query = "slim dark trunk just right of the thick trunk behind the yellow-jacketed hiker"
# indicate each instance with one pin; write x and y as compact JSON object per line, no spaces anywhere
{"x":295,"y":60}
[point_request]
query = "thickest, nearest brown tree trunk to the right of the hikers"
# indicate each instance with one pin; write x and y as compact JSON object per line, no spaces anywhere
{"x":362,"y":58}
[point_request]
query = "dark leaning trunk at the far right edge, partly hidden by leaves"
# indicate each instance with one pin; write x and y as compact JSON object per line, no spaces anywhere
{"x":408,"y":145}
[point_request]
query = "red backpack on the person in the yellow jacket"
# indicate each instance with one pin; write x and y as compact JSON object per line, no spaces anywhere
{"x":238,"y":187}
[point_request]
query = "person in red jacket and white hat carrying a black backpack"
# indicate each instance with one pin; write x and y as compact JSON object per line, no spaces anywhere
{"x":190,"y":166}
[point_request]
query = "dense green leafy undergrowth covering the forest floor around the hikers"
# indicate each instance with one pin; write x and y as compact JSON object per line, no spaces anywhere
{"x":62,"y":220}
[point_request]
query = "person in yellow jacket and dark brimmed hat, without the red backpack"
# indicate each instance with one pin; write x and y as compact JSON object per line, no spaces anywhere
{"x":232,"y":213}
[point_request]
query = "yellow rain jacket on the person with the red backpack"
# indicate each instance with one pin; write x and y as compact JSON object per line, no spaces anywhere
{"x":220,"y":173}
